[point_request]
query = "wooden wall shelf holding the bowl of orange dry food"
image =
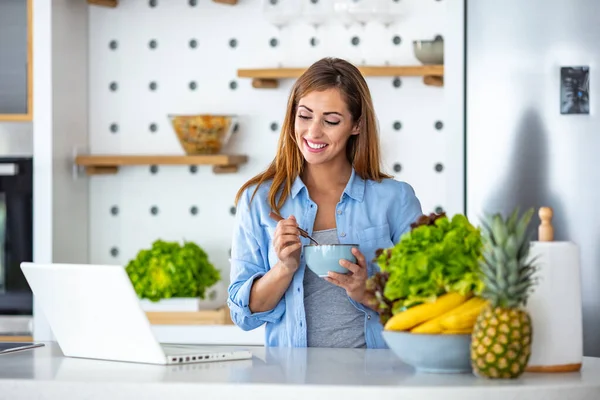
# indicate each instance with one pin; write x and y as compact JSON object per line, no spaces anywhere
{"x":109,"y":164}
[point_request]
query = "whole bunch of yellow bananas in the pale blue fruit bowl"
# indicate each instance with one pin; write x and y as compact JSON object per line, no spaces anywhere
{"x":451,"y":313}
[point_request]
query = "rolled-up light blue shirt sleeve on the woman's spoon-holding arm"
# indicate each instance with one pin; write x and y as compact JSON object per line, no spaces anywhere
{"x":248,"y":264}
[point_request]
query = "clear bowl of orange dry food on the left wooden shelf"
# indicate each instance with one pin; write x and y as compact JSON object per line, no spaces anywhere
{"x":203,"y":133}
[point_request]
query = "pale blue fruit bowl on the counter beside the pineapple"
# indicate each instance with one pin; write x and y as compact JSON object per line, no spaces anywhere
{"x":432,"y":353}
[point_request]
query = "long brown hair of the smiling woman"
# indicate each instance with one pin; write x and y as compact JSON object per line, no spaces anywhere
{"x":362,"y":150}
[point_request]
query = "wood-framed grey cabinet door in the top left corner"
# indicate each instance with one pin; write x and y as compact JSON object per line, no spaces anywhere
{"x":16,"y":92}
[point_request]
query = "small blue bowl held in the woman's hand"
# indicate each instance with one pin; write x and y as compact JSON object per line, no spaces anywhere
{"x":323,"y":258}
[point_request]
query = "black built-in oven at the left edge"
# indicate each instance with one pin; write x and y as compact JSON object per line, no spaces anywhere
{"x":16,"y":234}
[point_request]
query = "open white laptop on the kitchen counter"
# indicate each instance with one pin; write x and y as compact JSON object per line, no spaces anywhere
{"x":94,"y":312}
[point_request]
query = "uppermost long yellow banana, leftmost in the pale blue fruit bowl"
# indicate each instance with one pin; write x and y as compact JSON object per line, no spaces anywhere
{"x":416,"y":315}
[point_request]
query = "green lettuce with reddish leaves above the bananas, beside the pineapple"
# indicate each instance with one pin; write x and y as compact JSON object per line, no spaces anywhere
{"x":439,"y":255}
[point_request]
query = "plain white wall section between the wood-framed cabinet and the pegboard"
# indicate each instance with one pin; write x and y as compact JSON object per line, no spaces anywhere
{"x":61,"y":222}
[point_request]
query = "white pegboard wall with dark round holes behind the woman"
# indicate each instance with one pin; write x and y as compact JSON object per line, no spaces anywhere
{"x":191,"y":54}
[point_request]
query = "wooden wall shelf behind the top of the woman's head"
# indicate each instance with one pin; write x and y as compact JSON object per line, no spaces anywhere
{"x":267,"y":78}
